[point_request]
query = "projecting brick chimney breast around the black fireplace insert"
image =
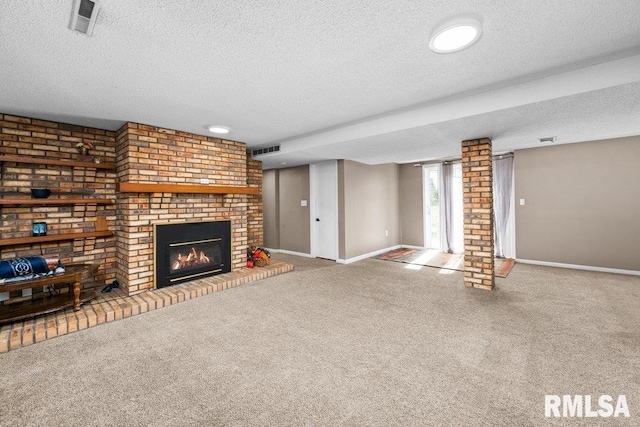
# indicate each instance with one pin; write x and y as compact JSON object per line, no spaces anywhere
{"x":147,"y":154}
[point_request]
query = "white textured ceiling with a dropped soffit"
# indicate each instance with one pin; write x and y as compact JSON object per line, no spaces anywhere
{"x":331,"y":79}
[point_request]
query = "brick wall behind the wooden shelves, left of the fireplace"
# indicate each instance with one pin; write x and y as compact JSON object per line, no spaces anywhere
{"x":23,"y":136}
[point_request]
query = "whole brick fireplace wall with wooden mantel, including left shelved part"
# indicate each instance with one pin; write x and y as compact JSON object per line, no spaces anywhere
{"x":142,"y":155}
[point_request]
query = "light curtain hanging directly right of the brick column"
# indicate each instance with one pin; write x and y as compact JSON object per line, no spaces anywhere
{"x":502,"y":188}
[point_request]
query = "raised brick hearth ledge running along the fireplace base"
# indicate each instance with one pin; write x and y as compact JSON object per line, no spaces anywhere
{"x":116,"y":305}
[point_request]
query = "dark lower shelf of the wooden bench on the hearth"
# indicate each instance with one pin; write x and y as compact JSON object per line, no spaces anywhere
{"x":27,"y":309}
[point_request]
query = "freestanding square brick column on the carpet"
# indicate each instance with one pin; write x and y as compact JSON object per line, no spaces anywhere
{"x":477,"y":182}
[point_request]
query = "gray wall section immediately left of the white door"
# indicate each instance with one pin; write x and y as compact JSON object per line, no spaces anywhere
{"x":294,"y":224}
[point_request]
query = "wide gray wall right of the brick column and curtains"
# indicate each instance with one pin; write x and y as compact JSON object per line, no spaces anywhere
{"x":582,"y":203}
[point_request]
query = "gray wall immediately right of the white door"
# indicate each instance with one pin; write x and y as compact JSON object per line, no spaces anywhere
{"x":368,"y":207}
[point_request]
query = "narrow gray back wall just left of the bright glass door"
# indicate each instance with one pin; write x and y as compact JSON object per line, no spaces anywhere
{"x":411,"y":206}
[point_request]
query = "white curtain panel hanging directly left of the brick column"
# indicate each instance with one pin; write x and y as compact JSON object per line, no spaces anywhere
{"x":452,"y":207}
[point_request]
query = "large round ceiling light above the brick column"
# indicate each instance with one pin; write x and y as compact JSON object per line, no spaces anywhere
{"x":456,"y":34}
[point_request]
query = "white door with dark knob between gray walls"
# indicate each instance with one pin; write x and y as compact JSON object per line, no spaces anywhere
{"x":324,"y":214}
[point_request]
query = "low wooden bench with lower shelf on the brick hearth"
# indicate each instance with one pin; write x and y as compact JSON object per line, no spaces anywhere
{"x":73,"y":275}
